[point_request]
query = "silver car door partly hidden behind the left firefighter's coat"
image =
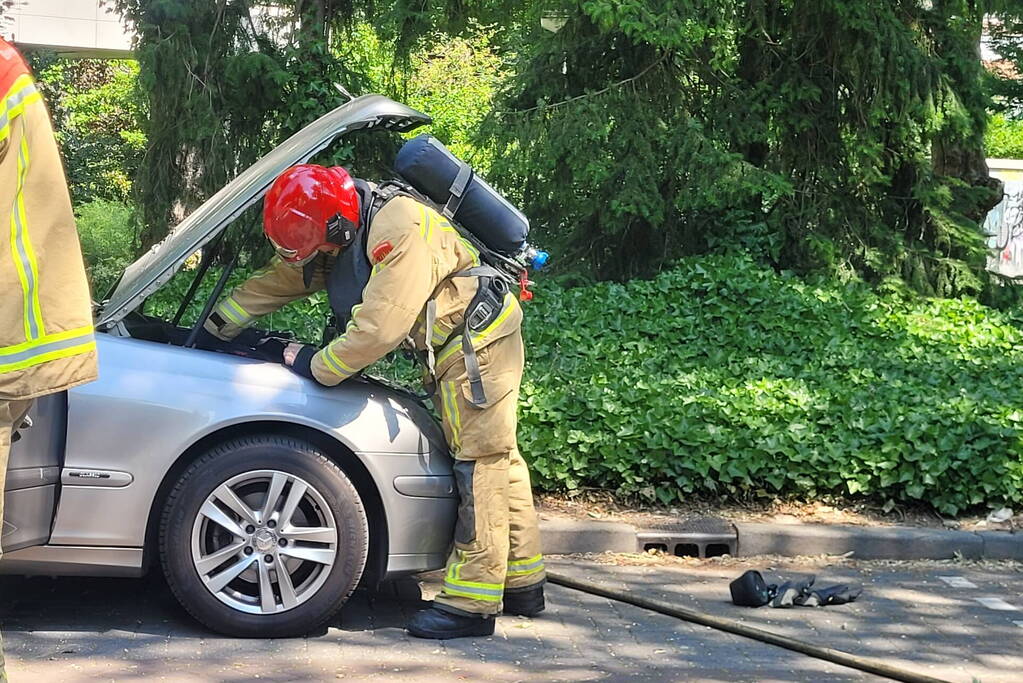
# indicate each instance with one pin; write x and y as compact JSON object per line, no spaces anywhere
{"x":34,"y":474}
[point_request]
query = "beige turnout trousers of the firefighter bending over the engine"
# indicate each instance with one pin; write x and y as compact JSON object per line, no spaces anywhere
{"x":498,"y":539}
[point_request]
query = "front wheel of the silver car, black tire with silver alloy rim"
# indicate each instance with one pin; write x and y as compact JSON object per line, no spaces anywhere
{"x":218,"y":521}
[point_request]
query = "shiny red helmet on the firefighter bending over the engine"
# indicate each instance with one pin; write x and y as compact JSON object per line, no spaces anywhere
{"x":309,"y":207}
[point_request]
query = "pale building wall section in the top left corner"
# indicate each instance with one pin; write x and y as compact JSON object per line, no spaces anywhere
{"x":74,"y":28}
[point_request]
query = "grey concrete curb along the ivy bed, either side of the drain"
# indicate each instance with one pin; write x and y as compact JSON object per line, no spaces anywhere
{"x":570,"y":536}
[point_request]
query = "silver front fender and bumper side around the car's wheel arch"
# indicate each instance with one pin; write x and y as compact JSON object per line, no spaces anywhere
{"x":156,"y":403}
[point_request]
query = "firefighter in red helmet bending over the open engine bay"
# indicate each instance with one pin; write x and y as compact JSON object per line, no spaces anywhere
{"x":396,"y":271}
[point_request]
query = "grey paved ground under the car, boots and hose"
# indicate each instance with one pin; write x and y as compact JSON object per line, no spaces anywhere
{"x":87,"y":629}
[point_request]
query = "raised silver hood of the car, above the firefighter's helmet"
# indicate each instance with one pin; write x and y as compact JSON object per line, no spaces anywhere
{"x":160,"y":264}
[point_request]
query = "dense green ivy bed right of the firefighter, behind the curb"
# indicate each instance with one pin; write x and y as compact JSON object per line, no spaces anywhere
{"x":722,"y":377}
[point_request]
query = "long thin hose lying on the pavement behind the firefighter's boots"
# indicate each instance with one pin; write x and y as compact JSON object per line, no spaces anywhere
{"x":740,"y":629}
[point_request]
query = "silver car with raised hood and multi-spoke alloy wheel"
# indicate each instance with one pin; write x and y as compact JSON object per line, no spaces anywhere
{"x":265,"y":497}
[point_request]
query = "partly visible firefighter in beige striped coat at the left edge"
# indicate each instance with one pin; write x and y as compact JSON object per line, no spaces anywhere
{"x":47,"y":335}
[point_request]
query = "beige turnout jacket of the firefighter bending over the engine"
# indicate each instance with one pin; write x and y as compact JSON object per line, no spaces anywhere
{"x":416,"y":254}
